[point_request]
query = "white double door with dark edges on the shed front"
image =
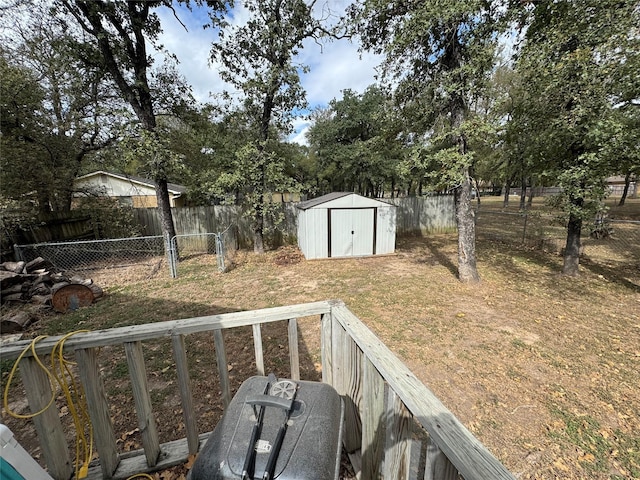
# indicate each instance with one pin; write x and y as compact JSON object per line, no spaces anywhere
{"x":352,"y":232}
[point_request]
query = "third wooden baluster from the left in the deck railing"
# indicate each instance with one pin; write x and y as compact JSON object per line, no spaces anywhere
{"x":142,"y":400}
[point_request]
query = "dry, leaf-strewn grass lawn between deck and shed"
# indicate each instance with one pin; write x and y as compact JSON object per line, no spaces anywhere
{"x":542,"y":368}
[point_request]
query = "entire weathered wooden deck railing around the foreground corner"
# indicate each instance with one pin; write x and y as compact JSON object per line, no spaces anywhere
{"x":395,"y":427}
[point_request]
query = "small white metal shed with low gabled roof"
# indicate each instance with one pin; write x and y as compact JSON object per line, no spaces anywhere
{"x":344,"y":224}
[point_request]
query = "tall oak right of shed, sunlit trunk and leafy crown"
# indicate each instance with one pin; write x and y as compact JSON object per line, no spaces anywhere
{"x":438,"y":54}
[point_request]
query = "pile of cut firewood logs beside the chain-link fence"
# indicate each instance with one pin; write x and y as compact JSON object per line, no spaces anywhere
{"x":39,"y":284}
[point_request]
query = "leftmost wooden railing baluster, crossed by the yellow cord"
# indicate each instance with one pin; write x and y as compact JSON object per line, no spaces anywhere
{"x":37,"y":386}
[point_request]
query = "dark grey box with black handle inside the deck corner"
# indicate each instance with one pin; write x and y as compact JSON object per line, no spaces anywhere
{"x":308,"y":416}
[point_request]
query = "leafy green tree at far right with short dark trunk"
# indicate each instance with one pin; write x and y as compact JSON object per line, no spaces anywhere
{"x":577,"y":111}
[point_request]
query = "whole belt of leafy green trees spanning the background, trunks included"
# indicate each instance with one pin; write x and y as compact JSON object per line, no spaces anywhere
{"x":79,"y":76}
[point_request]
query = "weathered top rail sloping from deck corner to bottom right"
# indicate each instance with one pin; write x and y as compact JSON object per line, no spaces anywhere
{"x":471,"y":457}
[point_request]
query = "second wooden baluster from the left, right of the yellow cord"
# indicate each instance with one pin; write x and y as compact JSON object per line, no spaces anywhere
{"x":98,"y":407}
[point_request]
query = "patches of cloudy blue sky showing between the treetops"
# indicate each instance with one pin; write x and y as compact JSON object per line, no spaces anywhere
{"x":334,"y":66}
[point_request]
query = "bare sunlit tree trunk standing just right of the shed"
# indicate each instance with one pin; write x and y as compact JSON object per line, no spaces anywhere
{"x":466,"y":221}
